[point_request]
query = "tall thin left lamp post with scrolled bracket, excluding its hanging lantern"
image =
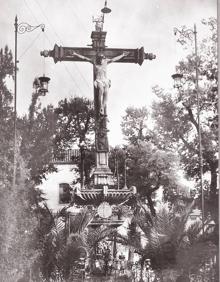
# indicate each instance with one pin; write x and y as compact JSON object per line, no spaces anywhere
{"x":19,"y":28}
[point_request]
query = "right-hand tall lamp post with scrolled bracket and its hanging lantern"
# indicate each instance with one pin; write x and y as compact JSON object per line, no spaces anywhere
{"x":191,"y":34}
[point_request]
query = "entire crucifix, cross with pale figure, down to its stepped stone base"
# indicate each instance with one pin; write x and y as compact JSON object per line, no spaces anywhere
{"x":100,"y":56}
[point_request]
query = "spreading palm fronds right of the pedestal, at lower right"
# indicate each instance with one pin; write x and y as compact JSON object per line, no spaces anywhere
{"x":166,"y":233}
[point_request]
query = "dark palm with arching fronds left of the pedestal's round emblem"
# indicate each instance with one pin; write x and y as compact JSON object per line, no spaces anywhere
{"x":62,"y":237}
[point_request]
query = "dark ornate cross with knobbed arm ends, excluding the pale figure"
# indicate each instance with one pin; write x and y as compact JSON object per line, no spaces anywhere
{"x":86,"y":54}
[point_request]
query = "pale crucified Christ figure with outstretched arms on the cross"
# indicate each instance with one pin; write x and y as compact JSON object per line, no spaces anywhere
{"x":102,"y":83}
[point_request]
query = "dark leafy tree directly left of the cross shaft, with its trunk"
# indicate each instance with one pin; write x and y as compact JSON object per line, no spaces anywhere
{"x":75,"y":127}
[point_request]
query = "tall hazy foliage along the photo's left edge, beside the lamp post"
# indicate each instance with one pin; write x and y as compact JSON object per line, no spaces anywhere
{"x":18,"y":220}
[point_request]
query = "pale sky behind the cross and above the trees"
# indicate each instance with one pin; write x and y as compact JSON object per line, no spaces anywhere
{"x":131,"y":24}
